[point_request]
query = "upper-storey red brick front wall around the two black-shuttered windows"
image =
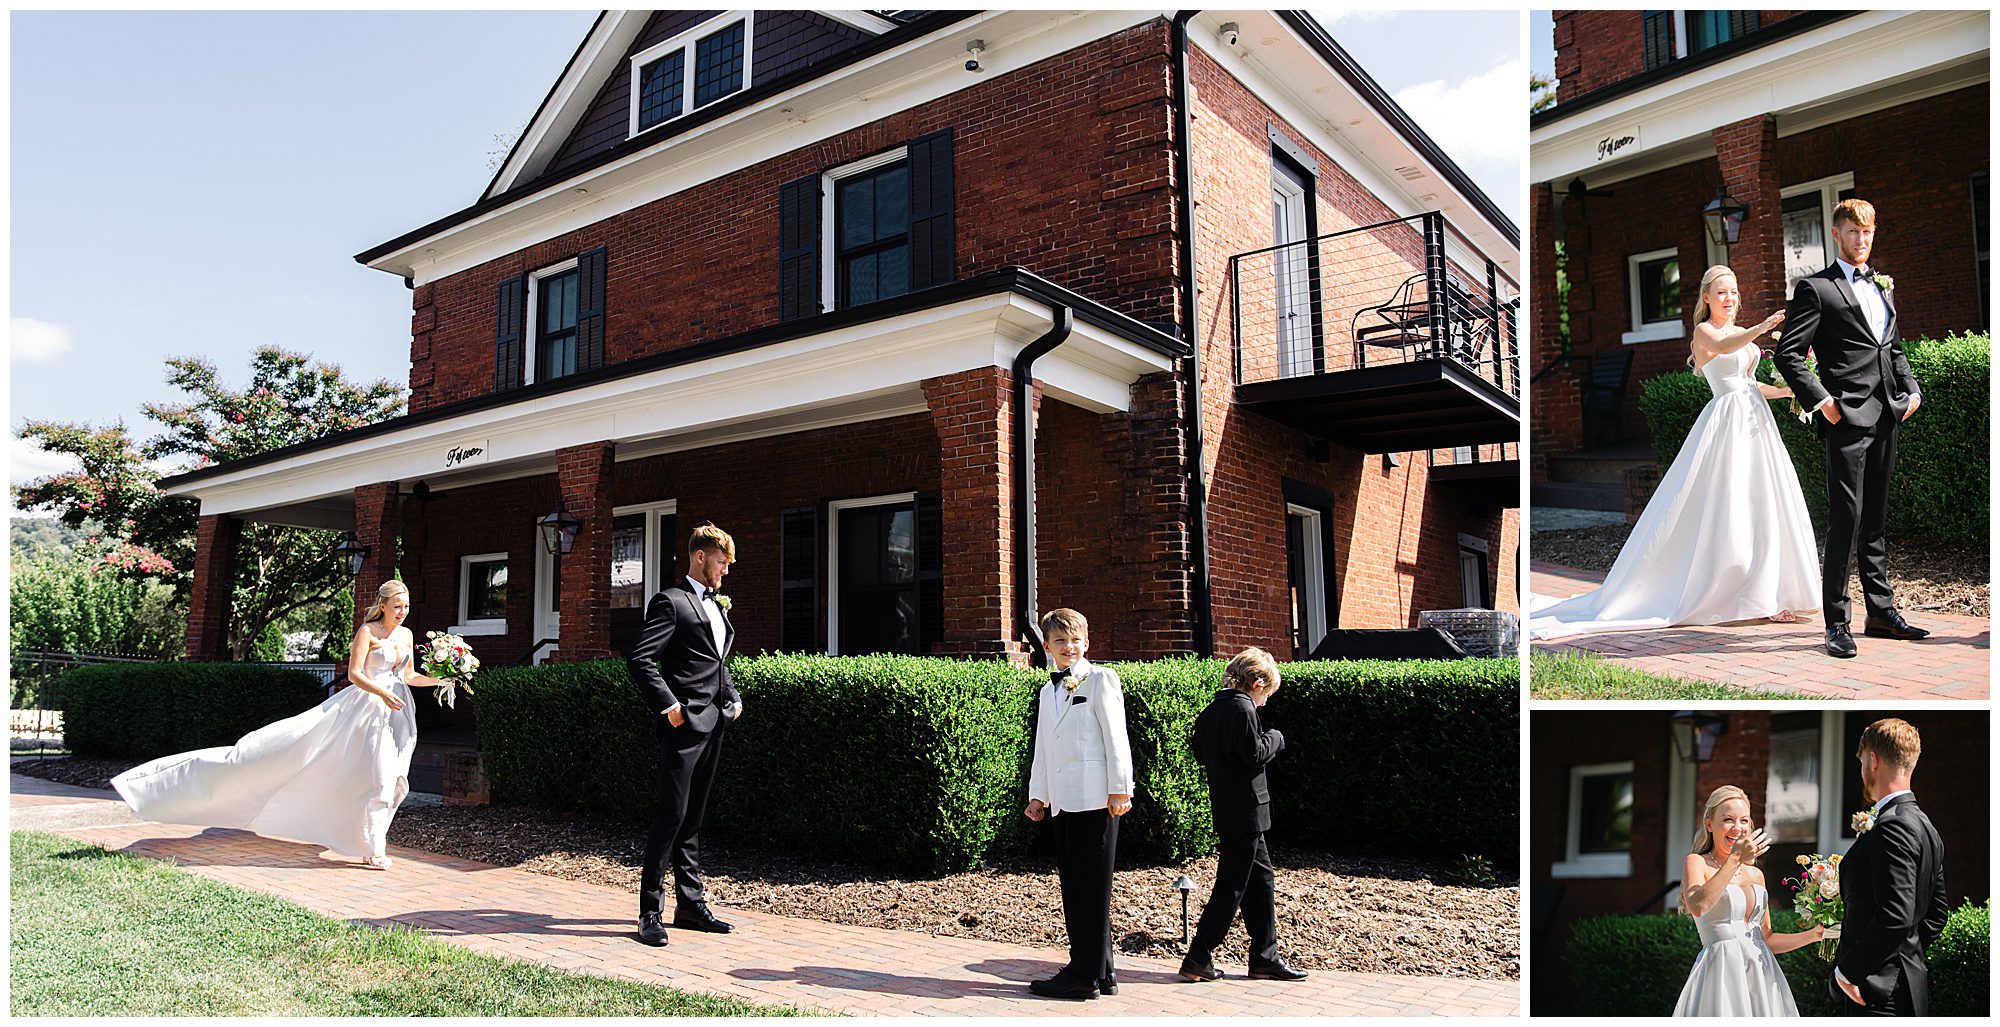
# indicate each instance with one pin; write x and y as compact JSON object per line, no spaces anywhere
{"x":1059,"y":169}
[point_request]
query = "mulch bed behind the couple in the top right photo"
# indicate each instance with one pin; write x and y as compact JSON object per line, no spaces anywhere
{"x":1929,"y":576}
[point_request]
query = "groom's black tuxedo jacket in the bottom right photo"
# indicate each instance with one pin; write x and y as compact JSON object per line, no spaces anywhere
{"x":1893,"y":882}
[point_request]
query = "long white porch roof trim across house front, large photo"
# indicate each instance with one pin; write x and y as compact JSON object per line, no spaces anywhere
{"x":841,"y":377}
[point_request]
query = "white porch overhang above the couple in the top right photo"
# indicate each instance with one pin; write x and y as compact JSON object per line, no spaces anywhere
{"x":1831,"y":69}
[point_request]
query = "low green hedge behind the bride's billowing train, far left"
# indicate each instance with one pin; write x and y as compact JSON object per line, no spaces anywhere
{"x":149,"y":710}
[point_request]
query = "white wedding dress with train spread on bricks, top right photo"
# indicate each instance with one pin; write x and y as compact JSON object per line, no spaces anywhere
{"x":1725,"y":538}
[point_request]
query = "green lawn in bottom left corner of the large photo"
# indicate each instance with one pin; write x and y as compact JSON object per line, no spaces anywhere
{"x":103,"y":934}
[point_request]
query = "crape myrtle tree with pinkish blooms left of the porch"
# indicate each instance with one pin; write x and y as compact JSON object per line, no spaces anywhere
{"x":281,"y":572}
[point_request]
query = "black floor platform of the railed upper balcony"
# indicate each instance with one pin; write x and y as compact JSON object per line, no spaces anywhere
{"x":1393,"y":409}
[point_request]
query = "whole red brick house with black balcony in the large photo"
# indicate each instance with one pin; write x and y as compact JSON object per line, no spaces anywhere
{"x":783,"y":271}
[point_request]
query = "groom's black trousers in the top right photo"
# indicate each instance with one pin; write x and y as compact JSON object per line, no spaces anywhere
{"x":1859,"y":465}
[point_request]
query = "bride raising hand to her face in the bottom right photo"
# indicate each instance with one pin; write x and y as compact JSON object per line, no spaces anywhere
{"x":1737,"y":974}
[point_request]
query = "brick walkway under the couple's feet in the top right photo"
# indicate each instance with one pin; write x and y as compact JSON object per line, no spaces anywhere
{"x":1951,"y":664}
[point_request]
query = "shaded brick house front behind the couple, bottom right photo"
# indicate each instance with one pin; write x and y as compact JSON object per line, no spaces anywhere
{"x":1615,"y":802}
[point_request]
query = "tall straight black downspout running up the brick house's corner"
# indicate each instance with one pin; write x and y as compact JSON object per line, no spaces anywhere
{"x":1191,"y":385}
